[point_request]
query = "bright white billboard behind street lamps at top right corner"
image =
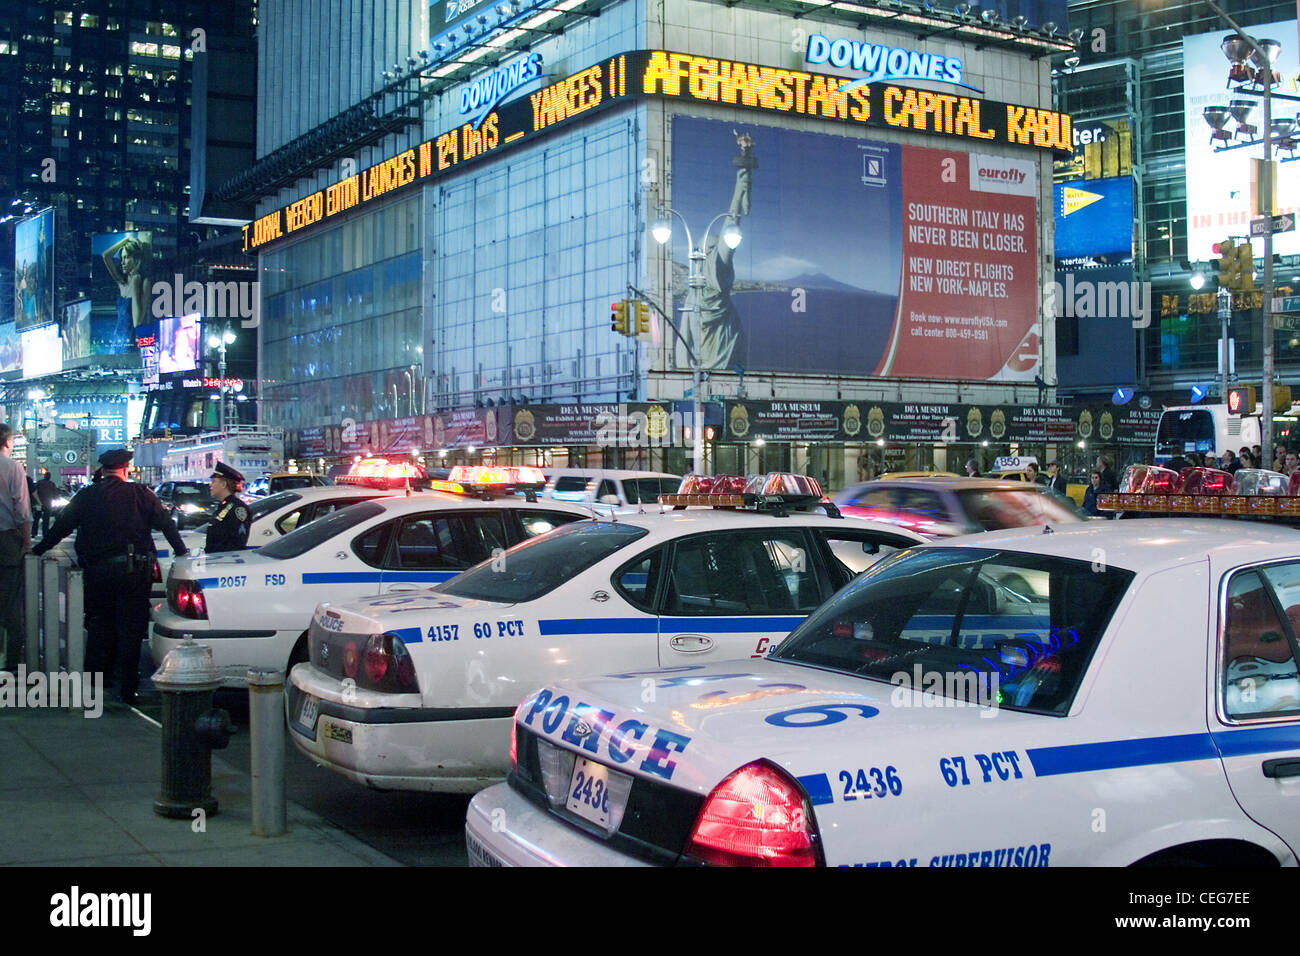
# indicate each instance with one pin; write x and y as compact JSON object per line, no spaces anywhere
{"x":1224,"y":111}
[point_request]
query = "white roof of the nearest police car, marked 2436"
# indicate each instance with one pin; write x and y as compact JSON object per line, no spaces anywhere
{"x":1146,"y":544}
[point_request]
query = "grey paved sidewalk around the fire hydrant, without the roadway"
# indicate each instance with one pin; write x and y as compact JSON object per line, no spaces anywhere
{"x":80,"y":793}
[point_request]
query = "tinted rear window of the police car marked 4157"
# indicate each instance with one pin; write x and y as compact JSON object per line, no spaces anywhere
{"x":536,"y":568}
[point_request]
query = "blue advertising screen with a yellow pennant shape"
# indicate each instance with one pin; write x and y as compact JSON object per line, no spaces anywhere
{"x":1094,"y":222}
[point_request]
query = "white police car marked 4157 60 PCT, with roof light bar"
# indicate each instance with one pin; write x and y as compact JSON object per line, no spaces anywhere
{"x":417,"y":691}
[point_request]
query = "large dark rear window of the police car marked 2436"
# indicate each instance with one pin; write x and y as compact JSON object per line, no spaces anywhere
{"x":977,"y":626}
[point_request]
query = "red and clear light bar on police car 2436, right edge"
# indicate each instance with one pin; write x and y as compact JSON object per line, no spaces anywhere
{"x":1251,"y":492}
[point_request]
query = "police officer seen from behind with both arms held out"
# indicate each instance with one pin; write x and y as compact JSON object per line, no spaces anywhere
{"x":114,"y":520}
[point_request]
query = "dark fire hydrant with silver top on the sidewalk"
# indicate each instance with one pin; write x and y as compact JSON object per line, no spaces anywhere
{"x":192,"y":730}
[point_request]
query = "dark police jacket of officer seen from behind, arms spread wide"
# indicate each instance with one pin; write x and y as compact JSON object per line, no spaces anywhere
{"x":112,"y":518}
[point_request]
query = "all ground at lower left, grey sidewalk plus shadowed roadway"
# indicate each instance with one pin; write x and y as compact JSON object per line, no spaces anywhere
{"x":80,"y":791}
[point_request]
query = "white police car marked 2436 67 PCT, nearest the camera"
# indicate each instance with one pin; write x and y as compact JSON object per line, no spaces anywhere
{"x":1138,"y":703}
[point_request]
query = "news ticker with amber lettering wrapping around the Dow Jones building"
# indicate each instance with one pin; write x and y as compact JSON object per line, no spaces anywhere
{"x":684,"y":79}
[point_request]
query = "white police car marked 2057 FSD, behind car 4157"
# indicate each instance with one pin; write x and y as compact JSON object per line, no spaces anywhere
{"x":254,"y":607}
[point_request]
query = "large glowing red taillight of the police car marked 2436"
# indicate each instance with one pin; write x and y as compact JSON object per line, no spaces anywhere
{"x":756,"y":817}
